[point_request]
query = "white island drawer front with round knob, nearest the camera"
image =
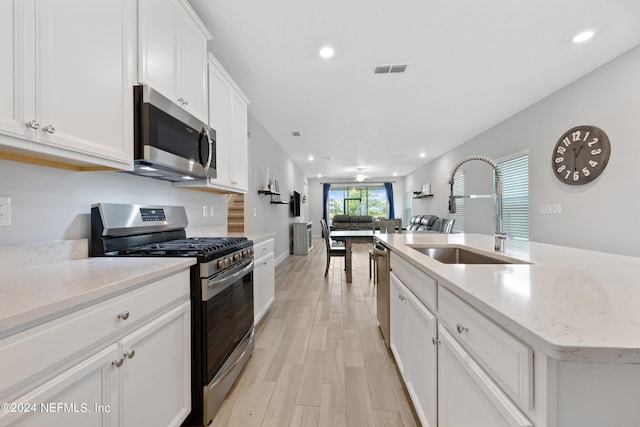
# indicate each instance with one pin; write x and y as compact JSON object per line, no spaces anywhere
{"x":507,"y":360}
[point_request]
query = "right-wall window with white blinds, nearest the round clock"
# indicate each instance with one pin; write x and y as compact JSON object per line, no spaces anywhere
{"x":515,"y":196}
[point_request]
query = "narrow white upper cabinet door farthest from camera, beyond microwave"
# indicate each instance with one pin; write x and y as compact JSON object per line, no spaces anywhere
{"x":239,"y":143}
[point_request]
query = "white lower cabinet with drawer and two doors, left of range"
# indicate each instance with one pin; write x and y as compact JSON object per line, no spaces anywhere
{"x":123,"y":362}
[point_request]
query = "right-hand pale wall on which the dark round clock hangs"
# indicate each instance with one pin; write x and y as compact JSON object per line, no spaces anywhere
{"x":601,"y":215}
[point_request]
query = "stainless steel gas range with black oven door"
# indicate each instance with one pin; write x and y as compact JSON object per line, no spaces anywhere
{"x":222,"y":328}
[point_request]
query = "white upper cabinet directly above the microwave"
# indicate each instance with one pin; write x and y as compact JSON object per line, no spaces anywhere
{"x":173,"y":53}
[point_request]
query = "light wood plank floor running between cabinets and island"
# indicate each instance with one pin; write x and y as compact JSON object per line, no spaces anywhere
{"x":319,"y":358}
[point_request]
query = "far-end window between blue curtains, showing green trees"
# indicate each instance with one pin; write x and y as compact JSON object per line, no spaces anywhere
{"x":356,"y":200}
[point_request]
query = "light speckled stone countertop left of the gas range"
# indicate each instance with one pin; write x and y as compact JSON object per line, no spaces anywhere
{"x":35,"y":294}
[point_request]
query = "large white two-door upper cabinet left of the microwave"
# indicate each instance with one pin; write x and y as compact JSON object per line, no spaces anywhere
{"x":66,"y":81}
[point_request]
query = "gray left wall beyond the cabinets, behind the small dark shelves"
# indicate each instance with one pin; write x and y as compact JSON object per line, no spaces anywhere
{"x":260,"y":215}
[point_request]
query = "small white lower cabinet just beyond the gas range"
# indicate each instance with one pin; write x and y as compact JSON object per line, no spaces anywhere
{"x":263,"y":279}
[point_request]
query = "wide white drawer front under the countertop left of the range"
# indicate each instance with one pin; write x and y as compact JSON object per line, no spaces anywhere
{"x":44,"y":348}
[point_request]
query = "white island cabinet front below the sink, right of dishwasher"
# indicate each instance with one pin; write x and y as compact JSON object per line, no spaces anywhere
{"x":412,"y":338}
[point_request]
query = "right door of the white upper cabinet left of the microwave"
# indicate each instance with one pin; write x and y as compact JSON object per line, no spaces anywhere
{"x":83,"y":75}
